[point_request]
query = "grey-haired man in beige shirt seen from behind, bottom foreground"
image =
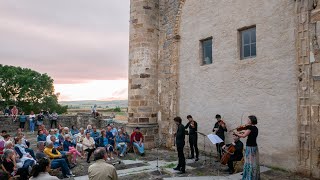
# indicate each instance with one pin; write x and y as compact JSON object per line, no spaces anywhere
{"x":100,"y":170}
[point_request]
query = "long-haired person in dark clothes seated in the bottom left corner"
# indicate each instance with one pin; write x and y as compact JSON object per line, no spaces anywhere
{"x":9,"y":165}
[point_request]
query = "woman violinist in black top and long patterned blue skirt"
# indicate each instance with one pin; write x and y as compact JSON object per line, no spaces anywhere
{"x":251,"y":169}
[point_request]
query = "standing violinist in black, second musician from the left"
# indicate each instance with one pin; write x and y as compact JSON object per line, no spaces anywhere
{"x":193,"y":137}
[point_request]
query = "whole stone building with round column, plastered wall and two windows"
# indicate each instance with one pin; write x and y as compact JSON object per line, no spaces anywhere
{"x":234,"y":58}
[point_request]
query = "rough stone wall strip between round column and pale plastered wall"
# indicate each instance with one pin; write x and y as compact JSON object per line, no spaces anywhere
{"x":170,"y":11}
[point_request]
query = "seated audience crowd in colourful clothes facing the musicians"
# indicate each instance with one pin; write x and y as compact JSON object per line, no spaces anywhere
{"x":63,"y":147}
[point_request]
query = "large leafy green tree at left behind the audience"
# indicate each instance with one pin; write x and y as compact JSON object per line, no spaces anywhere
{"x":28,"y":89}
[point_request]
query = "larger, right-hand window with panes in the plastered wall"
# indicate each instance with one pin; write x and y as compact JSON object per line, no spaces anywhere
{"x":248,"y":43}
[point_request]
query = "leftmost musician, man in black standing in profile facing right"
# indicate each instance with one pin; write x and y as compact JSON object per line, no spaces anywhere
{"x":180,"y":135}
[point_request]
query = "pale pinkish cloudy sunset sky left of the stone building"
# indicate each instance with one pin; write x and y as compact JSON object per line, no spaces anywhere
{"x":83,"y":45}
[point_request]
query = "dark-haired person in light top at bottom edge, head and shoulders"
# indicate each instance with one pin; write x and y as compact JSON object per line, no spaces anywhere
{"x":41,"y":169}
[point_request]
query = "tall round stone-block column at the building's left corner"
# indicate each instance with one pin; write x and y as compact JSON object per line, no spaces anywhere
{"x":143,"y":56}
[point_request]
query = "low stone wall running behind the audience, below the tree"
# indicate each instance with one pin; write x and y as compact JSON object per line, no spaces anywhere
{"x":79,"y":120}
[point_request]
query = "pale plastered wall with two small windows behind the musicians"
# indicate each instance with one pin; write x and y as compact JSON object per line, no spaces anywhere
{"x":264,"y":85}
